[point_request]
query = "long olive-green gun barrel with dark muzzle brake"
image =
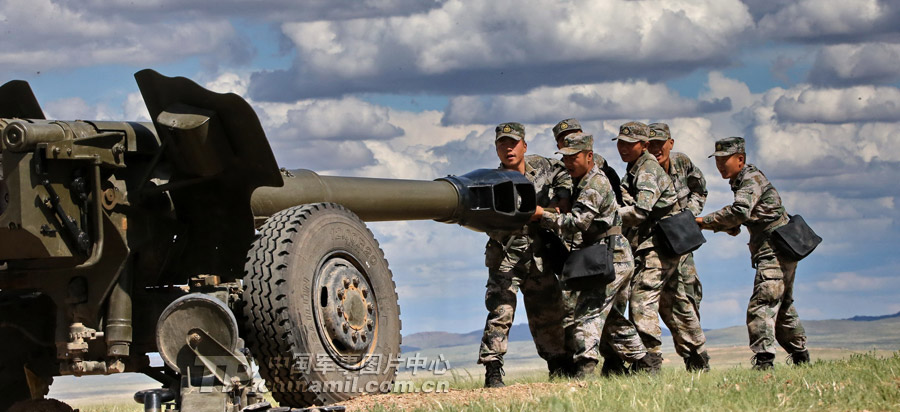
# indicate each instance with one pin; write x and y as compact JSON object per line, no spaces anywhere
{"x":482,"y":200}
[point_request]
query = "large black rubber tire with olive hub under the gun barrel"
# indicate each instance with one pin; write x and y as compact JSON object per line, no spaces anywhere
{"x":293,"y":328}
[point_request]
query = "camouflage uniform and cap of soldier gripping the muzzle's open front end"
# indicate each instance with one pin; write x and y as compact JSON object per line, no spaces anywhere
{"x":593,"y":215}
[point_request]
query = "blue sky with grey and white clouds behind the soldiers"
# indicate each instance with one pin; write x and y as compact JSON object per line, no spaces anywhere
{"x":413,"y":89}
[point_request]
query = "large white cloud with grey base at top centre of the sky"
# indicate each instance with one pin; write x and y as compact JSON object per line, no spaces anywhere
{"x":465,"y":46}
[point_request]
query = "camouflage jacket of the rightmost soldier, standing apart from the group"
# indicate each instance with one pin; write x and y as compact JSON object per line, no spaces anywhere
{"x":756,"y":205}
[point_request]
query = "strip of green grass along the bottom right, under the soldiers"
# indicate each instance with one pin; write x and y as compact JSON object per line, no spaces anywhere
{"x":862,"y":382}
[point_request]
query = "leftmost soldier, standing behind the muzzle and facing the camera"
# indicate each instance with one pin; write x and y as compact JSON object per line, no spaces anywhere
{"x":514,"y":262}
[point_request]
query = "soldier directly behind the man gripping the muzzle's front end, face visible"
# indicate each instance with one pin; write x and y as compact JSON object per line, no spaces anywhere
{"x":648,"y":196}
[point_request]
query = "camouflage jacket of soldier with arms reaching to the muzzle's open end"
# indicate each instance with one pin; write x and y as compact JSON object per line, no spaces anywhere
{"x":594,"y":212}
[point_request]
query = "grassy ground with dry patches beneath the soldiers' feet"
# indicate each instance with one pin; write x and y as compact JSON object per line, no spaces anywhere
{"x":837,"y":380}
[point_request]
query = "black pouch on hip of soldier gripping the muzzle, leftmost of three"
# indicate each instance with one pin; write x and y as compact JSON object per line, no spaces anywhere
{"x":591,"y":267}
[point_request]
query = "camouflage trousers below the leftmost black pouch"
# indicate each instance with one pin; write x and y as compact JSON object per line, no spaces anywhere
{"x":596,"y":314}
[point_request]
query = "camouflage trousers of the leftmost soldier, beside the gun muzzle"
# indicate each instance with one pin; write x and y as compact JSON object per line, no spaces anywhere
{"x":544,"y":308}
